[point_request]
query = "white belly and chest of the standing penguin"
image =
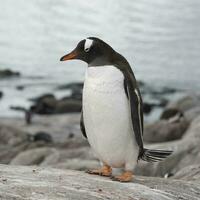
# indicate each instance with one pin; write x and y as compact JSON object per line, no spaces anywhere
{"x":107,"y":117}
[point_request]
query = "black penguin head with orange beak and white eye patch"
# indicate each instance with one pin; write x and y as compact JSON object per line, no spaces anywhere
{"x":92,"y":51}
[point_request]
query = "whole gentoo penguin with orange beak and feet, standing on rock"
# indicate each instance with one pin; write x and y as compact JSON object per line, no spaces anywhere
{"x":112,"y":116}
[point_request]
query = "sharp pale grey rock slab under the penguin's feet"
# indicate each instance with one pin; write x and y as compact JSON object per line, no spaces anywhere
{"x":35,"y":183}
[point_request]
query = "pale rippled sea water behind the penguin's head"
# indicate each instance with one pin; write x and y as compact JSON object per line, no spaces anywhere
{"x":160,"y":39}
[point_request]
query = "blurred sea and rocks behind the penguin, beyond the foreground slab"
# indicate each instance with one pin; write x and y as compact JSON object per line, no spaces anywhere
{"x":159,"y":38}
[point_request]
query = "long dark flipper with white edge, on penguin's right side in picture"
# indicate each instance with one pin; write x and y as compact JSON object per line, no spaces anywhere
{"x":136,"y":108}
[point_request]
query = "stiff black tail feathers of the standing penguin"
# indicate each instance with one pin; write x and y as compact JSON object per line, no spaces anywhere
{"x":155,"y":155}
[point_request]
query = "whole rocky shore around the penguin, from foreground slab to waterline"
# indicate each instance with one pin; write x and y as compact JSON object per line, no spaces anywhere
{"x":50,"y":136}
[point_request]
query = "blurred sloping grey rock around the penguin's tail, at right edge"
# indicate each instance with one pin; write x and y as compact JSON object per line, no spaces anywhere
{"x":186,"y":152}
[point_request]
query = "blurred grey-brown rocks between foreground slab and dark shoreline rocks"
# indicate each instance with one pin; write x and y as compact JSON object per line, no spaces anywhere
{"x":56,"y":140}
